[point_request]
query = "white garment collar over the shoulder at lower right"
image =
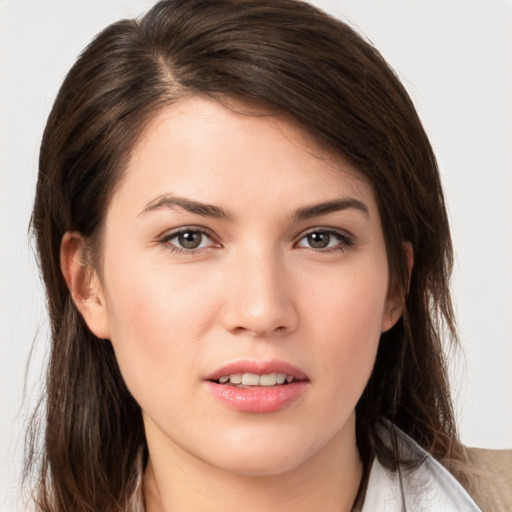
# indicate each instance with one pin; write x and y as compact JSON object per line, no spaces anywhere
{"x":425,"y":486}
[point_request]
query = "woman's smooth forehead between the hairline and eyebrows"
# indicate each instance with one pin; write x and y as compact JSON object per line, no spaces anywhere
{"x":208,"y":151}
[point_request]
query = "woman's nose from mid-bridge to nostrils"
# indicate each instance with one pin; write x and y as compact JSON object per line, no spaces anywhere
{"x":259,"y":297}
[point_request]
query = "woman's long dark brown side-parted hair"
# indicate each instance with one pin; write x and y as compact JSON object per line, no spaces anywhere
{"x":295,"y":61}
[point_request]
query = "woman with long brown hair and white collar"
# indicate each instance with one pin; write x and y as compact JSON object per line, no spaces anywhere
{"x":244,"y":242}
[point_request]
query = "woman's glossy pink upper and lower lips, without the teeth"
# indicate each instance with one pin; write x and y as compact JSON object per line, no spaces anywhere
{"x":258,"y":399}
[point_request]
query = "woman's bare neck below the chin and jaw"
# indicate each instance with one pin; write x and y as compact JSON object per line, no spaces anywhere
{"x":326,"y":482}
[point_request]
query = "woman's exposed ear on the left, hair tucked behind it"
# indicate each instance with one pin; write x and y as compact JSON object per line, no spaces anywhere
{"x":84,"y":284}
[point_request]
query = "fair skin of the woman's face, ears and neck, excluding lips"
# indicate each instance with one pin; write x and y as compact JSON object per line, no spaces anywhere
{"x":255,"y":289}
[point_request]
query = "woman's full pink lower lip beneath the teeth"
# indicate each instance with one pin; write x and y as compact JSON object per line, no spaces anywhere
{"x":258,"y":399}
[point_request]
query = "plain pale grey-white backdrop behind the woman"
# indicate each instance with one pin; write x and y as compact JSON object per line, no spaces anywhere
{"x":454,"y":57}
